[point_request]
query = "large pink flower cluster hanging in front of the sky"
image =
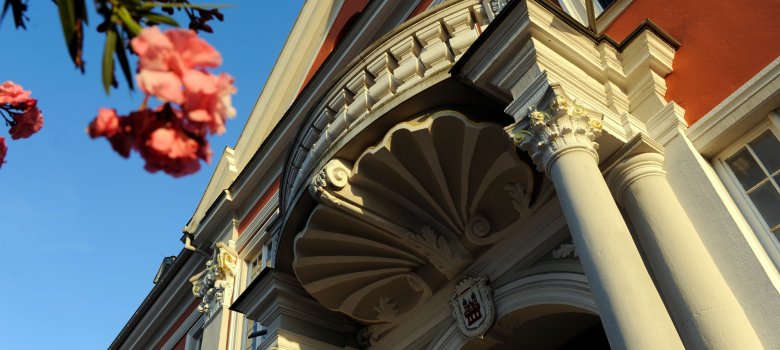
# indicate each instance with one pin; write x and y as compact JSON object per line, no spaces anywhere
{"x":195,"y":103}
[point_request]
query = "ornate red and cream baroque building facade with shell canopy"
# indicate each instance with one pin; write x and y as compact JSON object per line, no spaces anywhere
{"x":474,"y":174}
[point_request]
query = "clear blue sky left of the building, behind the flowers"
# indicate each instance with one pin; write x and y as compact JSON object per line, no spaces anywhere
{"x":83,"y":230}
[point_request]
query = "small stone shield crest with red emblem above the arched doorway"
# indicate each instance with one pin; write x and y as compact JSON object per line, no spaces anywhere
{"x":472,"y":306}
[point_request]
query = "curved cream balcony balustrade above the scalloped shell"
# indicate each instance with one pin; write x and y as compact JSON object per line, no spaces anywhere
{"x":423,"y":49}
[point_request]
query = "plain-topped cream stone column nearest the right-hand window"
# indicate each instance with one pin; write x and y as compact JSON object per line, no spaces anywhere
{"x":702,"y":304}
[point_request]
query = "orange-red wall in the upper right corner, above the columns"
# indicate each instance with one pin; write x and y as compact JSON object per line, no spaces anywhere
{"x":724,"y":44}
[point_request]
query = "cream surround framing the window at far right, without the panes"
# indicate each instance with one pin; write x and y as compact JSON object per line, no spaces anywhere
{"x":760,"y":228}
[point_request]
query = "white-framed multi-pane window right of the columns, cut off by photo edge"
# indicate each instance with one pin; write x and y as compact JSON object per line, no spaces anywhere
{"x":751,"y":172}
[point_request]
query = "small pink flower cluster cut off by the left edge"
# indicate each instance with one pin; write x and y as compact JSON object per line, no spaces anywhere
{"x":20,"y":112}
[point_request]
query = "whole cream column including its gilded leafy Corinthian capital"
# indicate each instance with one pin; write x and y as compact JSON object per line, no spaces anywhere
{"x":561,"y":143}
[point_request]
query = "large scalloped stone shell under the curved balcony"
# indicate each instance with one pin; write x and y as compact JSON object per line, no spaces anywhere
{"x":409,"y":215}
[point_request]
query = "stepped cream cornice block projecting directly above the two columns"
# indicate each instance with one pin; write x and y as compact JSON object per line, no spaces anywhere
{"x":522,"y":55}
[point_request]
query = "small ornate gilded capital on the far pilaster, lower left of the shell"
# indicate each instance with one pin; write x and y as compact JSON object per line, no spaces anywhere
{"x":214,"y":285}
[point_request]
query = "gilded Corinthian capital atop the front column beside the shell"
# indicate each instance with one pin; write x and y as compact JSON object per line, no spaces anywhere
{"x":562,"y":127}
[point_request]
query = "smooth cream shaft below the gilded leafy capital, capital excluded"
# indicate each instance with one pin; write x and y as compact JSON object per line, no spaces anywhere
{"x":631,"y":309}
